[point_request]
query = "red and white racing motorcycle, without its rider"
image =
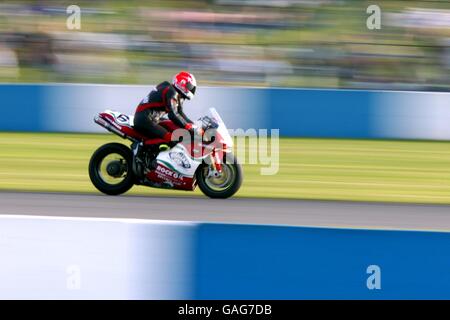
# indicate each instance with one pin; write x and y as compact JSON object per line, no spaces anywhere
{"x":207,"y":161}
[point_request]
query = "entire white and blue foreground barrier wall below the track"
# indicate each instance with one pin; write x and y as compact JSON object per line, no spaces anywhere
{"x":99,"y":258}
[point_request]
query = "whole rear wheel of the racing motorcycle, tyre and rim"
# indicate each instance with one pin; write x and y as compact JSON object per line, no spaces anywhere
{"x":110,"y":169}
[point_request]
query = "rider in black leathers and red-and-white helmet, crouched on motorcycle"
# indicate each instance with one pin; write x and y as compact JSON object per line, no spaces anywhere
{"x":166,"y":98}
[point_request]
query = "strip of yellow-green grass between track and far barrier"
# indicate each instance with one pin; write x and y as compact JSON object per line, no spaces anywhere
{"x":359,"y":170}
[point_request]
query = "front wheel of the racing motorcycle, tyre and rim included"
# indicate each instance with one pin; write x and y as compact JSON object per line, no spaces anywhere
{"x":226,"y":184}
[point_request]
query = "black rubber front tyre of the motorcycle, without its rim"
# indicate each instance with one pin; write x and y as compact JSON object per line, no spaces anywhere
{"x":231,"y":166}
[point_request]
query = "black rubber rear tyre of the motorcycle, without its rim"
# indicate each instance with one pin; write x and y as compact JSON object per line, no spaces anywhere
{"x":94,"y":169}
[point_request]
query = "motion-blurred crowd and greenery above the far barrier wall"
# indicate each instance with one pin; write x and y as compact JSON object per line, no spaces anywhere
{"x":262,"y":43}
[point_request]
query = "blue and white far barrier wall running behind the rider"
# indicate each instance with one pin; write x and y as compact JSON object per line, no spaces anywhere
{"x":296,"y":112}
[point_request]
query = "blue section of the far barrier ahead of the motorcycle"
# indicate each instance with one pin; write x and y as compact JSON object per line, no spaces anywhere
{"x":321,"y":113}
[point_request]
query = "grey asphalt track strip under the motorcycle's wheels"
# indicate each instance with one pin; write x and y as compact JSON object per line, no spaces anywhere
{"x":237,"y":210}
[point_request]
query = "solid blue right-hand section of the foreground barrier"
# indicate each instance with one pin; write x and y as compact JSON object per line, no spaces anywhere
{"x":268,"y":262}
